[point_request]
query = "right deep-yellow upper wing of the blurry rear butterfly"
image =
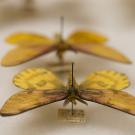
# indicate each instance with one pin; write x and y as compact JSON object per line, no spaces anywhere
{"x":85,"y":37}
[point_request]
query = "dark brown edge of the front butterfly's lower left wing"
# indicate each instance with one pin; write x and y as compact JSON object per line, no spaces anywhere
{"x":13,"y":114}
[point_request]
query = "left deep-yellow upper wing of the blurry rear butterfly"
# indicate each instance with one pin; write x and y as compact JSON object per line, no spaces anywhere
{"x":28,"y":39}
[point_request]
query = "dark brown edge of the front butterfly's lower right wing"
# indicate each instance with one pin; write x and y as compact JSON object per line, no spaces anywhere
{"x":111,"y":106}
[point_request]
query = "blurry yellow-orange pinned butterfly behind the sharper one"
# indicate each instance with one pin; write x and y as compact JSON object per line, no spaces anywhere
{"x":30,"y":46}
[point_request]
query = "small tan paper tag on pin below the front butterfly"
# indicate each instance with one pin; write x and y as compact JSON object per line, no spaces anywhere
{"x":77,"y":116}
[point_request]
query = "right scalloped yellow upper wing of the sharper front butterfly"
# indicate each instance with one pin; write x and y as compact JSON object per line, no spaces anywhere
{"x":105,"y":80}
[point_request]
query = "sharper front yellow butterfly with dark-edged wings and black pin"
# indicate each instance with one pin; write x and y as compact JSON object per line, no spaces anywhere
{"x":42,"y":87}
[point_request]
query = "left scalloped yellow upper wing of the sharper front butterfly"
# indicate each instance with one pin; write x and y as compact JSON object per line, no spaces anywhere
{"x":37,"y":79}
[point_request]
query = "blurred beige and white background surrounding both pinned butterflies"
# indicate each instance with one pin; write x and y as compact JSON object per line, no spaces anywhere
{"x":113,"y":18}
